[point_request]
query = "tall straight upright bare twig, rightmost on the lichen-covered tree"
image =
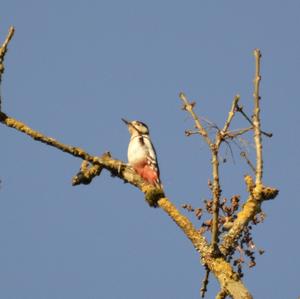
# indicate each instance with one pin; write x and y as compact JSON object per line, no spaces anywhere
{"x":256,"y":119}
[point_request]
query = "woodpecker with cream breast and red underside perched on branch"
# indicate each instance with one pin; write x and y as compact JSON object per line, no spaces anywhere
{"x":141,"y":153}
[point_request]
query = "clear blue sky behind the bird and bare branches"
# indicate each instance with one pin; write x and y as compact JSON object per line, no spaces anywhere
{"x":72,"y":71}
